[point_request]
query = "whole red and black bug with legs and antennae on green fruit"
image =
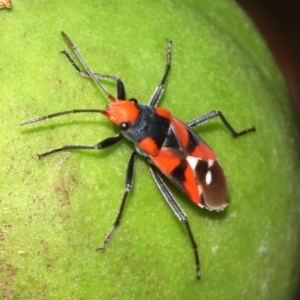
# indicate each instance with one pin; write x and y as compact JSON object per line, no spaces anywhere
{"x":168,"y":144}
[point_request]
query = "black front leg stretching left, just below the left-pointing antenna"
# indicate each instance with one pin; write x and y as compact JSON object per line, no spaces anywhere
{"x":103,"y":144}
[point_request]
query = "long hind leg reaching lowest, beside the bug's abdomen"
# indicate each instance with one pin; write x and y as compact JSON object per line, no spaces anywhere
{"x":180,"y":215}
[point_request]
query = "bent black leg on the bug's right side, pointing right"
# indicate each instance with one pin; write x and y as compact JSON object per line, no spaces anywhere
{"x":214,"y":114}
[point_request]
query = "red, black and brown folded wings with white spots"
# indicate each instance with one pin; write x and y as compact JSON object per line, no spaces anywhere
{"x":192,"y":166}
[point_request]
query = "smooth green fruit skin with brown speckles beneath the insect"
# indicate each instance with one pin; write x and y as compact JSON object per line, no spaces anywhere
{"x":56,"y":211}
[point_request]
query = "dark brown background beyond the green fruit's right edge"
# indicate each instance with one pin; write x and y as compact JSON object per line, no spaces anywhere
{"x":279,"y":23}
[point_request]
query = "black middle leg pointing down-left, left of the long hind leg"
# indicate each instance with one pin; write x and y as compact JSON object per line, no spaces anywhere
{"x":128,"y":186}
